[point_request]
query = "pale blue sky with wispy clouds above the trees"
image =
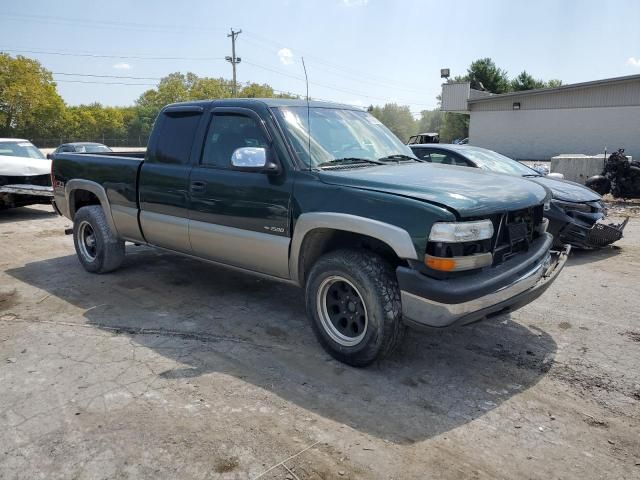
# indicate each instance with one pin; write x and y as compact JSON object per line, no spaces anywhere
{"x":359,"y":52}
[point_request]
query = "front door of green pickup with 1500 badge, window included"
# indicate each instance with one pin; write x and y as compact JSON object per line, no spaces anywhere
{"x":238,"y":217}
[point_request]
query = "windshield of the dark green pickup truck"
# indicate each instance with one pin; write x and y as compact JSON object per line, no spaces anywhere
{"x":338,"y":134}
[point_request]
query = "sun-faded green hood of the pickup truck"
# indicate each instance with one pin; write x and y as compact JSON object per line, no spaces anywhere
{"x":470,"y":192}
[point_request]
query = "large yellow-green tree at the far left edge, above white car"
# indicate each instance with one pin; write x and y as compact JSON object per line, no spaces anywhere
{"x":29,"y":103}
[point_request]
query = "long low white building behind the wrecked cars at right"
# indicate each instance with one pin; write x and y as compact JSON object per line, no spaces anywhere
{"x":539,"y":124}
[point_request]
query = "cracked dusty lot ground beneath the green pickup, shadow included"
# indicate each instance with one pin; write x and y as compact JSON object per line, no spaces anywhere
{"x":170,"y":368}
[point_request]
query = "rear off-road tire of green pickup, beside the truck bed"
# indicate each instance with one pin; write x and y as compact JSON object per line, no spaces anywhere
{"x":109,"y":249}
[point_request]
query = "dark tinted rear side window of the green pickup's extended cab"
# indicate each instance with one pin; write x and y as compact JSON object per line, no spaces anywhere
{"x":176,"y":138}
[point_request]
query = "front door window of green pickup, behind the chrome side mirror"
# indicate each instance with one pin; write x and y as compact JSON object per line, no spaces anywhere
{"x":228,"y":132}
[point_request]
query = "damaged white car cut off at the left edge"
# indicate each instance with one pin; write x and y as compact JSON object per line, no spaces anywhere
{"x":25,"y":174}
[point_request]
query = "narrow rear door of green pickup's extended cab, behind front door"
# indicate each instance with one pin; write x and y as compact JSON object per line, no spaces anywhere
{"x":164,"y":178}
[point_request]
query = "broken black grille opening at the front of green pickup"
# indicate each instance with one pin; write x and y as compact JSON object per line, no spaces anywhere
{"x":514,"y":232}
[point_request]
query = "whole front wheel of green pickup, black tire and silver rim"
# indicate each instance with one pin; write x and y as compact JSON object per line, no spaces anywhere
{"x":353,"y":301}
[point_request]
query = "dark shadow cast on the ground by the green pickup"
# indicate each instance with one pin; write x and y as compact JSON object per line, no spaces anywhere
{"x":211,"y":319}
